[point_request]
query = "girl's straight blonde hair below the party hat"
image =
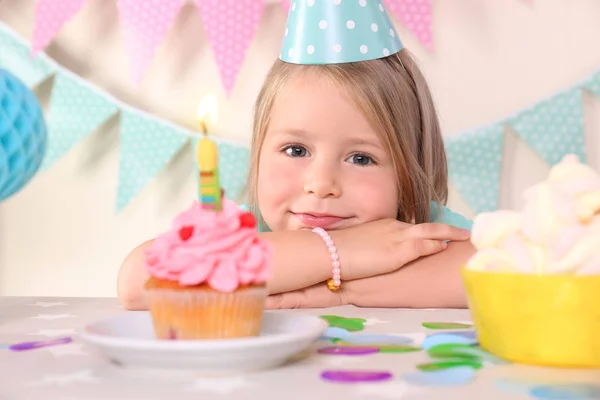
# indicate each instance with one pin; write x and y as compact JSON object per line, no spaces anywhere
{"x":394,"y":97}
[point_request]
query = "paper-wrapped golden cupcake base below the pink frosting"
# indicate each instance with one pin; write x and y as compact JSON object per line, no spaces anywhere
{"x":187,"y":314}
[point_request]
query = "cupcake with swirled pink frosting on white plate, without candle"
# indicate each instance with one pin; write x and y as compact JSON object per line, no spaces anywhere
{"x":208,"y":275}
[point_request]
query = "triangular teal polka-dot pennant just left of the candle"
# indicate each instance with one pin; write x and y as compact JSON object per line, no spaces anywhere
{"x":146,"y":147}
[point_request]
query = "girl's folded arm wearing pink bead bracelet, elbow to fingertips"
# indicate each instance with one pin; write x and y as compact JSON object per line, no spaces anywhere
{"x":301,"y":258}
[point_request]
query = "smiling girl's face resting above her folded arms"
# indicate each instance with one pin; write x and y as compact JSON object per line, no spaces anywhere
{"x":321,"y":163}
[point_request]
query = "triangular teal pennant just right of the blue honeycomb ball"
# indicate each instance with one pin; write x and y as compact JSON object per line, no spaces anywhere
{"x":75,"y":111}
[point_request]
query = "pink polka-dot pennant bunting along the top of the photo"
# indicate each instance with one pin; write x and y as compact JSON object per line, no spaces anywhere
{"x":230,"y":26}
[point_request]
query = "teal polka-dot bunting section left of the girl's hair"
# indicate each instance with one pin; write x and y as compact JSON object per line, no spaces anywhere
{"x":77,"y":108}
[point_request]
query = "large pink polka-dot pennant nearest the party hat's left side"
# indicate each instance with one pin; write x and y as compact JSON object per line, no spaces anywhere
{"x":230,"y":26}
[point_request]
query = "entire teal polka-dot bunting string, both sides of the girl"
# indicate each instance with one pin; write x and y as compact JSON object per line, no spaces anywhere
{"x":553,"y":127}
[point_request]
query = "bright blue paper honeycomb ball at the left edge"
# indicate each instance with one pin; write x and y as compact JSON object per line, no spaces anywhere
{"x":23,"y":137}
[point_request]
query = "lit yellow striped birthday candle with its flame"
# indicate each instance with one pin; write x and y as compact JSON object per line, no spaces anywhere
{"x":207,"y":156}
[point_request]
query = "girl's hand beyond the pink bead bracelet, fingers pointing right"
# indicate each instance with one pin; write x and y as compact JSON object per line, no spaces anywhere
{"x":383,"y":246}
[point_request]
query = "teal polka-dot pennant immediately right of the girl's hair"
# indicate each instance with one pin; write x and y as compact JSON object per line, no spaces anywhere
{"x":474,"y":165}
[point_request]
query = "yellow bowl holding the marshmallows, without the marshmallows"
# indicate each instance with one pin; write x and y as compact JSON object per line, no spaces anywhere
{"x":551,"y":320}
